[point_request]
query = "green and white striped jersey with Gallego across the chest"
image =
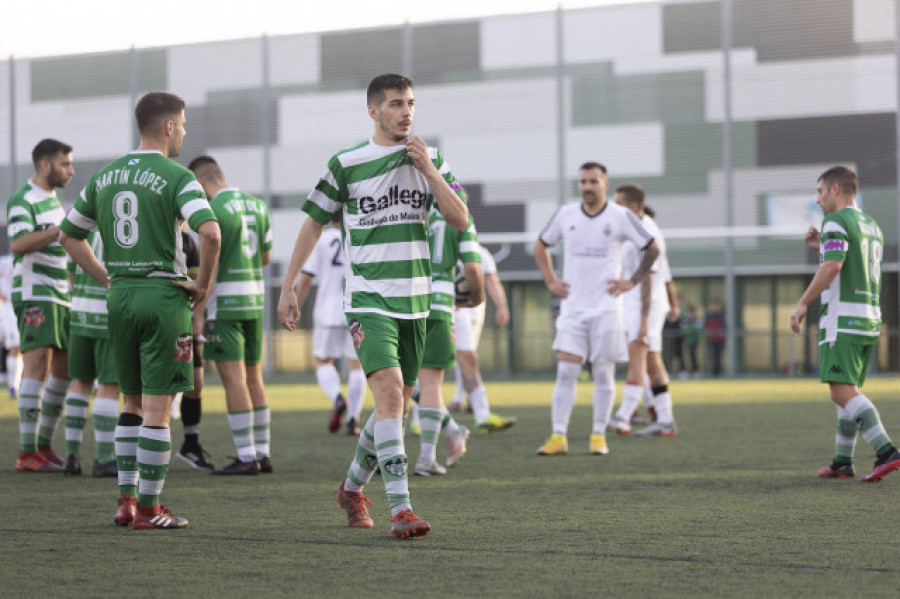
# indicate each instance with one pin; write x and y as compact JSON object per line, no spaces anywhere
{"x":385,"y":201}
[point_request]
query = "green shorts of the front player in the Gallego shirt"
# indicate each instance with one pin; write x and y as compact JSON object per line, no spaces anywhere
{"x":383,"y":342}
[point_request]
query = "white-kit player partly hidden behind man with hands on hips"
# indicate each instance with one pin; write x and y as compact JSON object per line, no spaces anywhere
{"x":646,"y":308}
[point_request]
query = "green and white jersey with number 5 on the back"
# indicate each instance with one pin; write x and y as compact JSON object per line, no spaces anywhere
{"x":239,"y":290}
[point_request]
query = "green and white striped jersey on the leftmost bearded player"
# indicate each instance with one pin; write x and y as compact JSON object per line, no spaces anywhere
{"x":40,"y":275}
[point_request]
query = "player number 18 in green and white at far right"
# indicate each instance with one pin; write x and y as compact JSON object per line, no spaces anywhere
{"x":848,"y":279}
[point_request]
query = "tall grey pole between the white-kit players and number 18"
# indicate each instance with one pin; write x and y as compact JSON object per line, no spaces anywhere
{"x":727,"y":168}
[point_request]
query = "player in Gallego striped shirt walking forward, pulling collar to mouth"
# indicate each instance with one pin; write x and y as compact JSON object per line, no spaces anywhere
{"x":384,"y":187}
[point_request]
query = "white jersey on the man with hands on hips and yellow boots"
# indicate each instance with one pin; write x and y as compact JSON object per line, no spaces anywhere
{"x":592,"y":254}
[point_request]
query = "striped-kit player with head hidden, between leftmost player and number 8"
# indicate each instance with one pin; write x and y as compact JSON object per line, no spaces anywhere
{"x":91,"y":359}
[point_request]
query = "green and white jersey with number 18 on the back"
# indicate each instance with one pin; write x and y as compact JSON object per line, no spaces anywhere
{"x":851,"y":311}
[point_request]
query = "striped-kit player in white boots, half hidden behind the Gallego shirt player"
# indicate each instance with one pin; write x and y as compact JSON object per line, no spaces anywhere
{"x":447,"y":246}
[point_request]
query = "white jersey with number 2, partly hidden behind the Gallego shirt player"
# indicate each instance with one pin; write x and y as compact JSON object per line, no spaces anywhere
{"x":326,"y":263}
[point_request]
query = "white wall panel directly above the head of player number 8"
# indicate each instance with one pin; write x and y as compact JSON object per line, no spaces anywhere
{"x":196,"y":69}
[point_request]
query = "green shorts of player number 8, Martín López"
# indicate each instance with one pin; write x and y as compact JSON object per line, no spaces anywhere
{"x":151,"y":336}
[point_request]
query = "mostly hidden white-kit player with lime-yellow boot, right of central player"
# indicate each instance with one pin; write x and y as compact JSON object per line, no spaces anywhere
{"x":467,"y":326}
